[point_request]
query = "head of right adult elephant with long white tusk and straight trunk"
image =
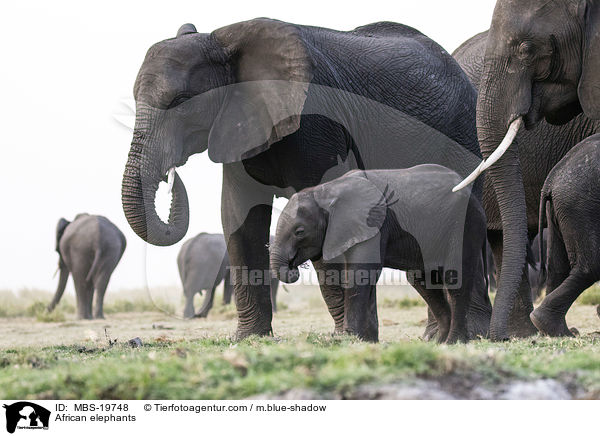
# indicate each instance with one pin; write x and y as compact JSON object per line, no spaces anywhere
{"x":542,"y":61}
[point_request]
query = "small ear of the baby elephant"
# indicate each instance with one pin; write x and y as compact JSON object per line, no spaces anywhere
{"x":356,"y":209}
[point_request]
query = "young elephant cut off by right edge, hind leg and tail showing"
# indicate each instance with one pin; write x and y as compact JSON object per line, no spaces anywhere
{"x":570,"y":204}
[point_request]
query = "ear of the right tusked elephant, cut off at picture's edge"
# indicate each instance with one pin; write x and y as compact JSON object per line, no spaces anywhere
{"x":589,"y":83}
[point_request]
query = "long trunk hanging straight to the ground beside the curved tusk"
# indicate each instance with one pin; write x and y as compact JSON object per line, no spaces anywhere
{"x":493,"y":121}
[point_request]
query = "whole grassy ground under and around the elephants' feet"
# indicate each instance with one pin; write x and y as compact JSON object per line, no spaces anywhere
{"x":66,"y":358}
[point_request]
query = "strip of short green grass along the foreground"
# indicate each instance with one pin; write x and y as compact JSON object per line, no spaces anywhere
{"x":221,"y":369}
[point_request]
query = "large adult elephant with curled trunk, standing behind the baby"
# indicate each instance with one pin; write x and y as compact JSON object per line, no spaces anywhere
{"x":284,"y":107}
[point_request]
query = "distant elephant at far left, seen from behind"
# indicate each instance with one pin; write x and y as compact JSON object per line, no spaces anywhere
{"x":89,"y":248}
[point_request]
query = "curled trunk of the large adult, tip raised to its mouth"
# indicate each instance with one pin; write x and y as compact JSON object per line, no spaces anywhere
{"x":140,"y":182}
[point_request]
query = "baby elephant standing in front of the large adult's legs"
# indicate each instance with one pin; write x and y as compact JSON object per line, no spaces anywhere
{"x":406,"y":219}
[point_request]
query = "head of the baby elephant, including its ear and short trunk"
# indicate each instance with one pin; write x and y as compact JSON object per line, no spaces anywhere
{"x":326,"y":221}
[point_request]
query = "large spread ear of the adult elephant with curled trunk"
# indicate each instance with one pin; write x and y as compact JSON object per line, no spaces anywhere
{"x":272,"y":70}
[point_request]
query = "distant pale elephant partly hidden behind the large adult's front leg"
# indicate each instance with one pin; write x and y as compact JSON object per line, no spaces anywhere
{"x":203,"y":264}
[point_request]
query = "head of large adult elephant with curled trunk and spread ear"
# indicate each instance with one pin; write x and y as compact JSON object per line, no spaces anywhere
{"x":234,"y":92}
